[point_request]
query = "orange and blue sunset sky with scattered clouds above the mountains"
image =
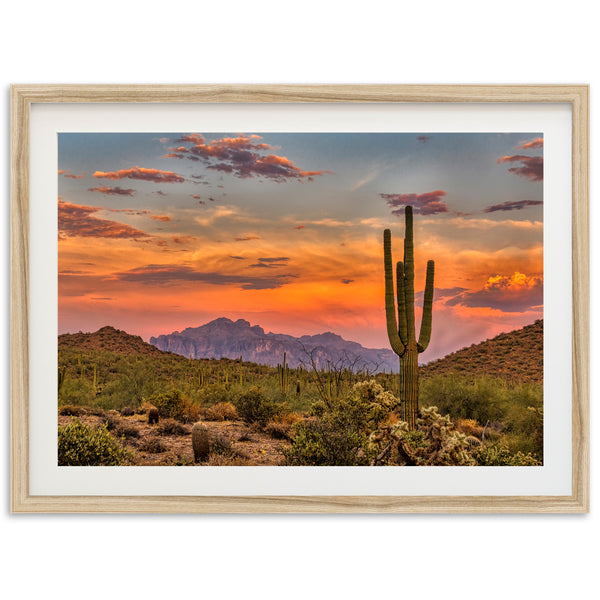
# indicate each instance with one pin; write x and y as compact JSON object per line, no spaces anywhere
{"x":163,"y":231}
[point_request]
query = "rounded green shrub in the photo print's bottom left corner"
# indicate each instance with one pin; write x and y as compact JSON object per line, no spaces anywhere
{"x":81,"y":445}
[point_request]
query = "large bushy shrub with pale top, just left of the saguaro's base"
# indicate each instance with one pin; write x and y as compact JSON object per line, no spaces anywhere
{"x":338,"y":432}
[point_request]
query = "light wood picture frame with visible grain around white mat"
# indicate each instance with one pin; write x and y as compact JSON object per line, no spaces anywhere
{"x":23,"y":96}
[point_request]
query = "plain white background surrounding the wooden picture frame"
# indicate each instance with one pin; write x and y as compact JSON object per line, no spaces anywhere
{"x":297,"y":556}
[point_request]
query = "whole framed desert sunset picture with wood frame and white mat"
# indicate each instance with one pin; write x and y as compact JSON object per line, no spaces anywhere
{"x":300,"y":298}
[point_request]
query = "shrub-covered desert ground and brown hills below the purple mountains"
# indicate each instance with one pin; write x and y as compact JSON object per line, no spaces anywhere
{"x":111,"y":385}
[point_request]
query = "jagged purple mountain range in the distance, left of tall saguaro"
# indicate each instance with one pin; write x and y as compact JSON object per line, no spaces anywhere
{"x":232,"y":339}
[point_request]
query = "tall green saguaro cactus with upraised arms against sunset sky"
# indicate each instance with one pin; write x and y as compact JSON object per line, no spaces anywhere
{"x":401,"y":333}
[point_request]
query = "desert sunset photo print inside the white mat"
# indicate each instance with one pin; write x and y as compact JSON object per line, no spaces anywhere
{"x":300,"y":299}
